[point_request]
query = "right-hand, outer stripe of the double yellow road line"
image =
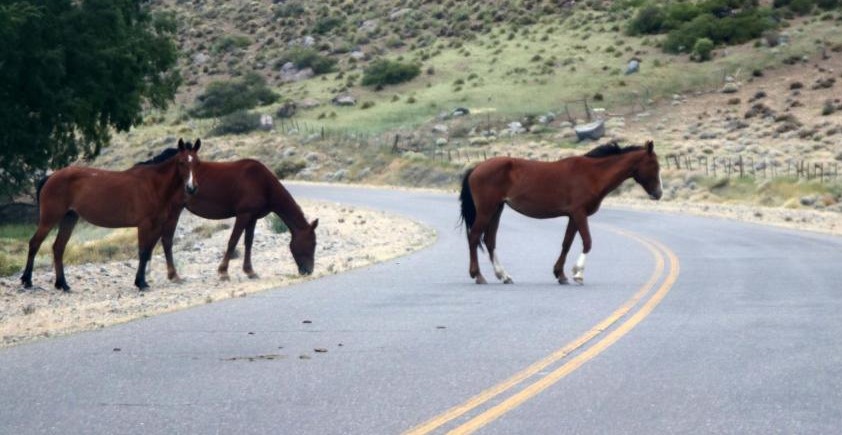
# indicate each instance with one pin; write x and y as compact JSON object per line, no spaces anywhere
{"x":532,"y":390}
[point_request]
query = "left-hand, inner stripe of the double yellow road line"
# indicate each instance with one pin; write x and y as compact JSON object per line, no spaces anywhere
{"x":488,"y":394}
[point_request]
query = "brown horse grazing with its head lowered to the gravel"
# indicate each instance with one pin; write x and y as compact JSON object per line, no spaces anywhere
{"x":248,"y":190}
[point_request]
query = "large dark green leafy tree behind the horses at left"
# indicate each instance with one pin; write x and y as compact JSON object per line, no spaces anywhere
{"x":70,"y":72}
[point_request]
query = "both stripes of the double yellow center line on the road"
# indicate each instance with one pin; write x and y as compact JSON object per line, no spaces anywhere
{"x":597,"y":338}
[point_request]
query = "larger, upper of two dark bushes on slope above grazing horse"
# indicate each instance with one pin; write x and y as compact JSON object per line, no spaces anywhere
{"x":224,"y":97}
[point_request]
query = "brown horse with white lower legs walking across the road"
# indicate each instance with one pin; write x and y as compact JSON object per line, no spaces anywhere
{"x":572,"y":187}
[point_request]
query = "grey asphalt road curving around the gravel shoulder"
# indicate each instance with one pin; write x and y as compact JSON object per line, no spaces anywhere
{"x":684,"y":325}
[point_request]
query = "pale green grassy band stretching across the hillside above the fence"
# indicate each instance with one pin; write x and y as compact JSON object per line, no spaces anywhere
{"x":495,"y":87}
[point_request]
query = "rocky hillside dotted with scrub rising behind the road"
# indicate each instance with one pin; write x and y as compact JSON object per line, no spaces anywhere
{"x":542,"y":65}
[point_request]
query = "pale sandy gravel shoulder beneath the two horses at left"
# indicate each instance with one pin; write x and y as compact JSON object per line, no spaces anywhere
{"x":103,"y":294}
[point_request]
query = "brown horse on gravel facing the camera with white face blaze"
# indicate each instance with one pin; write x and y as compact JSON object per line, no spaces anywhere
{"x":148,"y":196}
